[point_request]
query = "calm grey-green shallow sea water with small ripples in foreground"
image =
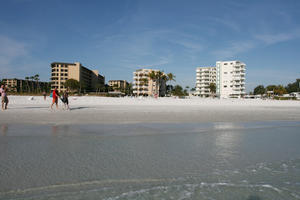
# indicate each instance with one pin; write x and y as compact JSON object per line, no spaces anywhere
{"x":246,"y":161}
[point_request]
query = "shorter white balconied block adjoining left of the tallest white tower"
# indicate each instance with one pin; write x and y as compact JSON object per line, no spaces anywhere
{"x":204,"y":77}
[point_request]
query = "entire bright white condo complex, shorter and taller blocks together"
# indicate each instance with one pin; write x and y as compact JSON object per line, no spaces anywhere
{"x":229,"y":77}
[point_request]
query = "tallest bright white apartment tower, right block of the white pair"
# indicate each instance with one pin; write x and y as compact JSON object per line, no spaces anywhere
{"x":230,"y":80}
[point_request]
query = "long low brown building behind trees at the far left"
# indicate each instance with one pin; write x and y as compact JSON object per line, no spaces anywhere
{"x":19,"y":85}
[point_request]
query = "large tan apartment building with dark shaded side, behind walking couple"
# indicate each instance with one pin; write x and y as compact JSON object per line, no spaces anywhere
{"x":89,"y":79}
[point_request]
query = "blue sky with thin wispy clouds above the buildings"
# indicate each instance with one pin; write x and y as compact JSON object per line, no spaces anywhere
{"x":117,"y":37}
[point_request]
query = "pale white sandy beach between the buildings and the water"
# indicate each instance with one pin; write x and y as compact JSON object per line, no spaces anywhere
{"x":104,"y":110}
